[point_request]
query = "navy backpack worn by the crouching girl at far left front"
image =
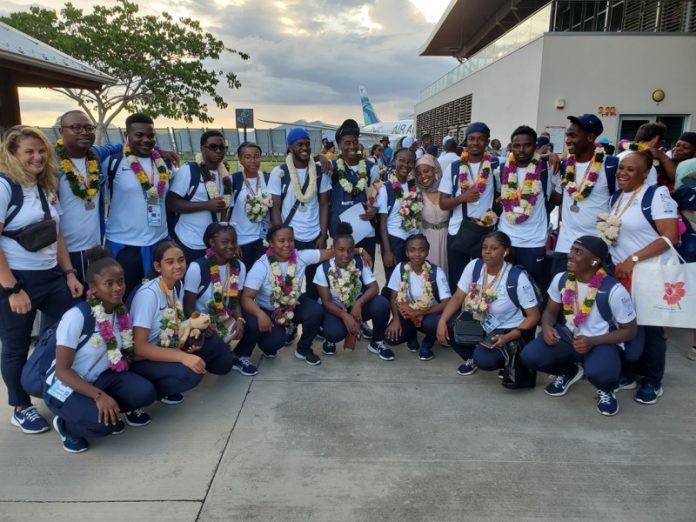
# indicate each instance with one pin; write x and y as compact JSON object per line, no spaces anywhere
{"x":41,"y":362}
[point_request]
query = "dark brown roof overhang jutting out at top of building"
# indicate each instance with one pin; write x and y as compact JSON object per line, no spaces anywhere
{"x":467,"y":26}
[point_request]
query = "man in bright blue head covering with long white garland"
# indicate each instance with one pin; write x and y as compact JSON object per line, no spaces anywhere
{"x":301,"y":195}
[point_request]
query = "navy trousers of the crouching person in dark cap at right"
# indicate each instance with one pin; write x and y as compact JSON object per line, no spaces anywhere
{"x":602,"y":364}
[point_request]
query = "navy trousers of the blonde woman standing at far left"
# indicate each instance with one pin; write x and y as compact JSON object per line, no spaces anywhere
{"x":49,"y":293}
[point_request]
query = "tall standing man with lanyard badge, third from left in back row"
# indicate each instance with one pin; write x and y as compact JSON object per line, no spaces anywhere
{"x":137,"y":186}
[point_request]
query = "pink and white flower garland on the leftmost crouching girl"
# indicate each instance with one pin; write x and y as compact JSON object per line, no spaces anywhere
{"x":118,"y":358}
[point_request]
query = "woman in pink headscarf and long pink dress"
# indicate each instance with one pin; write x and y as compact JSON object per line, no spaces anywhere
{"x":435,"y":220}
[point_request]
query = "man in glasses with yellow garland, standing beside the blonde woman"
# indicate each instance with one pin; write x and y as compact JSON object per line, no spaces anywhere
{"x":80,"y":178}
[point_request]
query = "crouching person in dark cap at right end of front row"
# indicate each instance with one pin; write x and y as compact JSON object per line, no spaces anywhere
{"x":598,"y":318}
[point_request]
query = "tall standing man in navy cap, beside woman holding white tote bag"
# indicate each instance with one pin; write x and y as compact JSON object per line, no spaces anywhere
{"x":587,"y":182}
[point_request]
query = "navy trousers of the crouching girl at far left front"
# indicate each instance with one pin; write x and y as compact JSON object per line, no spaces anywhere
{"x":78,"y":414}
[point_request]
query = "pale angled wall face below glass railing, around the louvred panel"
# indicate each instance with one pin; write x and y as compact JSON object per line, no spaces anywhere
{"x":505,"y":93}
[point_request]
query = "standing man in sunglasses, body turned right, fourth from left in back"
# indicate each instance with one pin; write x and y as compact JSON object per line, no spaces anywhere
{"x":200,"y":195}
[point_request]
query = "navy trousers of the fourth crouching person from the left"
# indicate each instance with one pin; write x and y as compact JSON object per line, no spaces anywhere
{"x":308,"y":313}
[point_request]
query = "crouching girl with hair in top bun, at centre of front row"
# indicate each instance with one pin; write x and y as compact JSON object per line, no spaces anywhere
{"x":349,"y":293}
